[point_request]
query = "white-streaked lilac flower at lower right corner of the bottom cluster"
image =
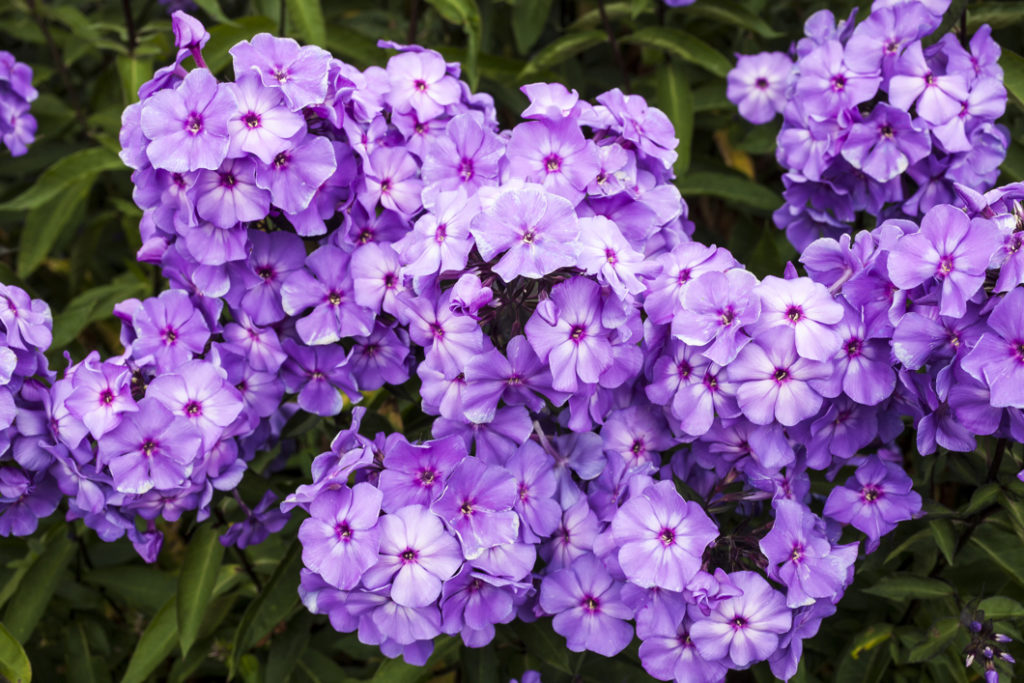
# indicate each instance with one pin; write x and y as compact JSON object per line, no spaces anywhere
{"x":745,"y":628}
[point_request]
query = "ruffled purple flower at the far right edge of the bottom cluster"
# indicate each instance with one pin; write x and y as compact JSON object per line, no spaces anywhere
{"x":802,"y":559}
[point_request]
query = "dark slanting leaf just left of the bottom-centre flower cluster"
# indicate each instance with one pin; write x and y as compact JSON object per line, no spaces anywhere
{"x":277,"y":602}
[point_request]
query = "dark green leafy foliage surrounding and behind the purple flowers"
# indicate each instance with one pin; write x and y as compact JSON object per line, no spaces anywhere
{"x":86,"y":611}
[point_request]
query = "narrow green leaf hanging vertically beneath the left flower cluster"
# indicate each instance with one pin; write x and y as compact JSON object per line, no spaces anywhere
{"x":199,"y":576}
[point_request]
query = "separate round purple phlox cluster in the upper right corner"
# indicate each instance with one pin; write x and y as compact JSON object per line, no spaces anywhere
{"x":874,"y":121}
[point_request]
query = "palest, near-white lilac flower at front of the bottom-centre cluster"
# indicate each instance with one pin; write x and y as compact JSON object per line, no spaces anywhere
{"x":416,"y":556}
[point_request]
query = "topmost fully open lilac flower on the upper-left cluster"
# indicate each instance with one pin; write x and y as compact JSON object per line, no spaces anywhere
{"x":300,"y":73}
